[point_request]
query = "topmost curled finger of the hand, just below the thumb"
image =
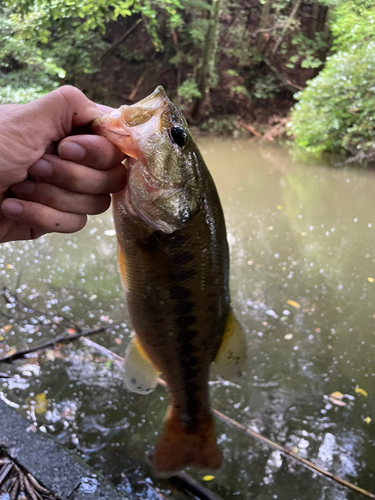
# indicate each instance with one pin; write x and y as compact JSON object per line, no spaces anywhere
{"x":91,"y":150}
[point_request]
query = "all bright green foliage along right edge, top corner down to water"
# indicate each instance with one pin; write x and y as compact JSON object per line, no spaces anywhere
{"x":336,"y":111}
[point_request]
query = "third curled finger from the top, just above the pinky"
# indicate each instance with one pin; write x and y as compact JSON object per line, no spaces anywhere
{"x":61,"y":199}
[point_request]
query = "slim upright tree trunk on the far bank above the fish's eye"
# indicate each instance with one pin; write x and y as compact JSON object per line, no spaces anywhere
{"x":208,"y":58}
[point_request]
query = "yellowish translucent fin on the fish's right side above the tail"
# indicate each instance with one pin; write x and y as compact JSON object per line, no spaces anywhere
{"x":232,"y":353}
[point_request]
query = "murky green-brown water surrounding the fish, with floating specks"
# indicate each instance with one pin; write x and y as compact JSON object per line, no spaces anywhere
{"x":303,"y":234}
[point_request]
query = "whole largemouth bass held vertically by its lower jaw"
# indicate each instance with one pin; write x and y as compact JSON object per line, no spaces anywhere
{"x":173,"y":261}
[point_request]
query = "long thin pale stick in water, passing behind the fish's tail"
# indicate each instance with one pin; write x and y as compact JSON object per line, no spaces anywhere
{"x":229,"y":421}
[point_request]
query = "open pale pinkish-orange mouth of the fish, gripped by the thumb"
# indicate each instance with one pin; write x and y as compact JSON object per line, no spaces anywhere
{"x":127,"y":126}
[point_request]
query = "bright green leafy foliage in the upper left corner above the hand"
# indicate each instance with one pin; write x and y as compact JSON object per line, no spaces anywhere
{"x":45,"y":43}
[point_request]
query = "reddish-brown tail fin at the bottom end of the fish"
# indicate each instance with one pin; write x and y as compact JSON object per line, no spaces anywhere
{"x":180,"y":446}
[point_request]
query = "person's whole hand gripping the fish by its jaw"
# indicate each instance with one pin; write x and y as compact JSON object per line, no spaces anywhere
{"x":63,"y":187}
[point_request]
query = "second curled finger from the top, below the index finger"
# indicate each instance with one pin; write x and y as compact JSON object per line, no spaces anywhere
{"x":78,"y":178}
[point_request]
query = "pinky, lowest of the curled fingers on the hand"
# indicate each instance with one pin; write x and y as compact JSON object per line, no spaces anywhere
{"x":42,"y":218}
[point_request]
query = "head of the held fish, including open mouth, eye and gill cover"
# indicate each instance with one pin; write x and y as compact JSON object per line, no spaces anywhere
{"x":162,"y":159}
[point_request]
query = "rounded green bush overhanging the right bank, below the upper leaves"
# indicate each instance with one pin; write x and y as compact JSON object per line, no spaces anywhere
{"x":336,"y":112}
